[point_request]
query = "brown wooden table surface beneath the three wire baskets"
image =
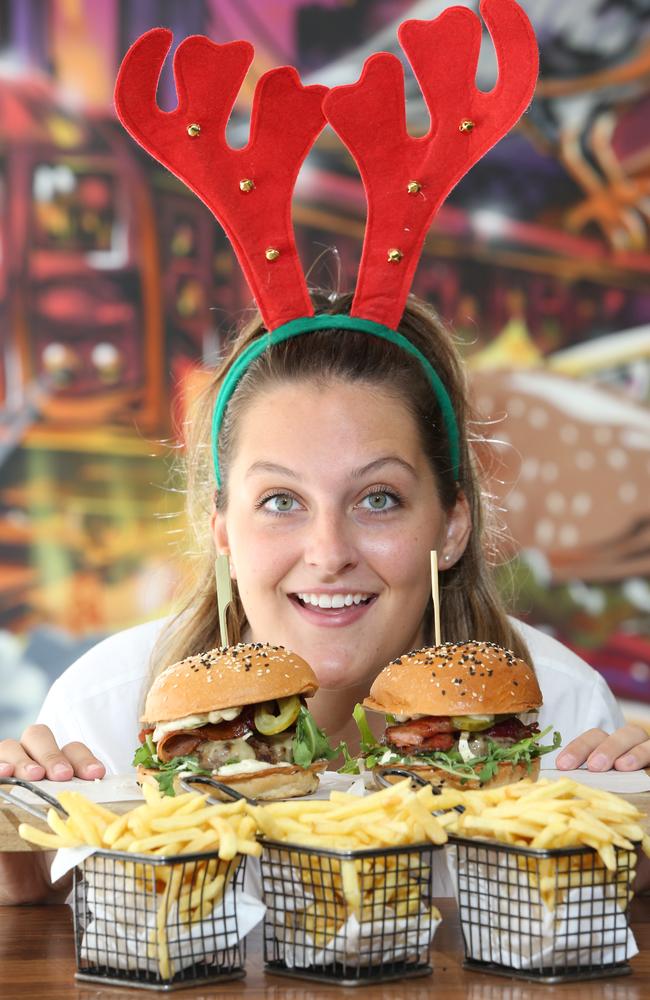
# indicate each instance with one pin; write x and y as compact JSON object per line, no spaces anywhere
{"x":37,"y":961}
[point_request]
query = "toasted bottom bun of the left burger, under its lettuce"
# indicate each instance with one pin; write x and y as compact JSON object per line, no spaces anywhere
{"x":267,"y":784}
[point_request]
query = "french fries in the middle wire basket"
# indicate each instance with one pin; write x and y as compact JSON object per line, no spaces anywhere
{"x":363,"y":887}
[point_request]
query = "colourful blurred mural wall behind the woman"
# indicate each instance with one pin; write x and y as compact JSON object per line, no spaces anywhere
{"x":116,"y":289}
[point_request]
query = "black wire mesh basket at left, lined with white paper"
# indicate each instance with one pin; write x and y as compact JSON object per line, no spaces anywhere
{"x":158,"y":922}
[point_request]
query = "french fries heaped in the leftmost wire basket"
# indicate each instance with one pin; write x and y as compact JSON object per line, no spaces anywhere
{"x":162,"y":826}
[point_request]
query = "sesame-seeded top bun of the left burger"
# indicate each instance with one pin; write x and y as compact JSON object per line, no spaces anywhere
{"x":227,"y":677}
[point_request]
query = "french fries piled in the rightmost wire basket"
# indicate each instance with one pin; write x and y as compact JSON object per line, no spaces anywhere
{"x":549,"y":815}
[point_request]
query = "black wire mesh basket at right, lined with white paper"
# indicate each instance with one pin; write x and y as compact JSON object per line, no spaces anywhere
{"x":545,"y":915}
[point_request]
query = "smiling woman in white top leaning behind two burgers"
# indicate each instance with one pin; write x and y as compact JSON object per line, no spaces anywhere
{"x":336,"y":482}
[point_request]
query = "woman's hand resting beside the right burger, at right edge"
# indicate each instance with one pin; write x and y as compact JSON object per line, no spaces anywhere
{"x":626,"y":749}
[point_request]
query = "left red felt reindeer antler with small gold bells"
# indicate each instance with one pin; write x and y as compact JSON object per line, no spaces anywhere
{"x":249,"y":190}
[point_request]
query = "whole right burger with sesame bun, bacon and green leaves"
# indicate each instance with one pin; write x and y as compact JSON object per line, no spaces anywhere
{"x":460,"y":714}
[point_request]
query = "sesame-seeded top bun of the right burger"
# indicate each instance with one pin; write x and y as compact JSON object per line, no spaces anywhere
{"x":463,"y":678}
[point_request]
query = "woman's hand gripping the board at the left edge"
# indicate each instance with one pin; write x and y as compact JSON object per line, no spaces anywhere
{"x":37,"y":756}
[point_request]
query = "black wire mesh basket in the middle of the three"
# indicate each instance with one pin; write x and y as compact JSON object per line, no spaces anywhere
{"x":354,"y":917}
